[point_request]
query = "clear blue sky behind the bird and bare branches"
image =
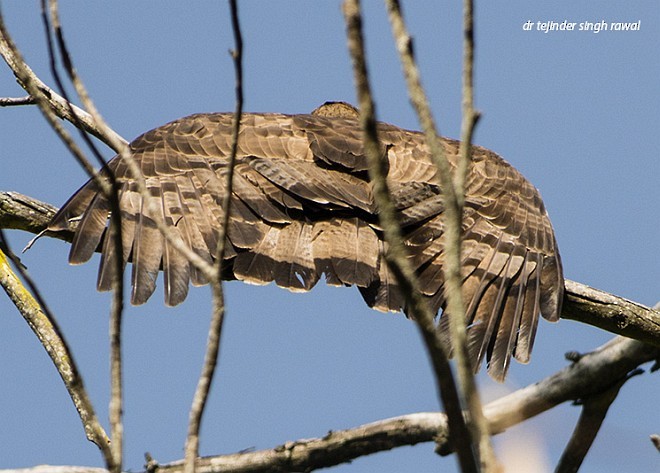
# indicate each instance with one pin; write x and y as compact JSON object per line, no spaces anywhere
{"x":577,"y":112}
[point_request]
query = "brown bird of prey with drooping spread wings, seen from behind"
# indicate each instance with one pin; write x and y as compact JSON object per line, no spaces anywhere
{"x":302,"y":208}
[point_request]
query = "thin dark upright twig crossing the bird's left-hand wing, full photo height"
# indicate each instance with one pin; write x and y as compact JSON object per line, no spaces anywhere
{"x":217,"y":317}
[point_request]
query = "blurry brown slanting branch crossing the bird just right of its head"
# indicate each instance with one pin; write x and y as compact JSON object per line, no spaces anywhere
{"x":396,"y":254}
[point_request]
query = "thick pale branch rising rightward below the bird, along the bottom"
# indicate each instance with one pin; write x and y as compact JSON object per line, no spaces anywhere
{"x":594,"y":373}
